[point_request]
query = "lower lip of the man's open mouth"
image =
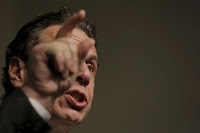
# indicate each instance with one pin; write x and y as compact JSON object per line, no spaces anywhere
{"x":73,"y":102}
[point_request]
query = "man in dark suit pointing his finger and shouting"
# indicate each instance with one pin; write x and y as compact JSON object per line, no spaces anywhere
{"x":52,"y":54}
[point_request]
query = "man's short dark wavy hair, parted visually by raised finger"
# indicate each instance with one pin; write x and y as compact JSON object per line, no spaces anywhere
{"x":29,"y":36}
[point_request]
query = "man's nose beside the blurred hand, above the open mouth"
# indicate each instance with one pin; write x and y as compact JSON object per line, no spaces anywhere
{"x":84,"y":75}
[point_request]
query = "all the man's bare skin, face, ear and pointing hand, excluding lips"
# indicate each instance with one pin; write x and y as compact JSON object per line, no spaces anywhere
{"x":74,"y":68}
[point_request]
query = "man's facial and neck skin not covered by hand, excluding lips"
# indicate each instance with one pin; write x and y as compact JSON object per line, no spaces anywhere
{"x":64,"y":117}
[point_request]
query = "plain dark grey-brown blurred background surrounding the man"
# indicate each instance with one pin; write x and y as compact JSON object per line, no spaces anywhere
{"x":148,"y":79}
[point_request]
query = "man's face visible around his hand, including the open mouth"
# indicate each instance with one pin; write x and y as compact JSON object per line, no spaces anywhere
{"x":73,"y":106}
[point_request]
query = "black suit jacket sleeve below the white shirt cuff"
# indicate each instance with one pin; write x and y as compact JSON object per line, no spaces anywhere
{"x":18,"y":116}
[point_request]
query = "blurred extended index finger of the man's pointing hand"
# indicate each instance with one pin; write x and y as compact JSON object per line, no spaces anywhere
{"x":71,"y":24}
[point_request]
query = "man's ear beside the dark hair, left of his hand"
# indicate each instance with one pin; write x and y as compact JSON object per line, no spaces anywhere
{"x":17,"y":72}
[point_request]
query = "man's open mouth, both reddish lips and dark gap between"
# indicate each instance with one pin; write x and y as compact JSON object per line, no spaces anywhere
{"x":76,"y":99}
